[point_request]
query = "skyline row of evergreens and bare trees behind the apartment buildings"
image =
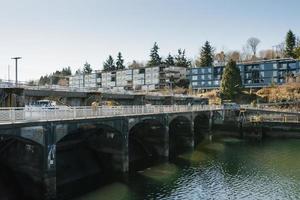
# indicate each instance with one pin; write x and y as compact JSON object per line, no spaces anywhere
{"x":290,"y":48}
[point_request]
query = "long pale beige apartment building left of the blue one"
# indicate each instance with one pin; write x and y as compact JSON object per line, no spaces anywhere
{"x":145,"y":78}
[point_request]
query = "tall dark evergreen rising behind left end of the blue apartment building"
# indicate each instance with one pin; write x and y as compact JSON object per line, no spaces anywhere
{"x":206,"y":56}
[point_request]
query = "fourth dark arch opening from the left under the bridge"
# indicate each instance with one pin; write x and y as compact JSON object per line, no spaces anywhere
{"x":180,"y":135}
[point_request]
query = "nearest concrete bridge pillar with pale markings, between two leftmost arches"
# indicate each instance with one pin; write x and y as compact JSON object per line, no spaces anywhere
{"x":49,"y":176}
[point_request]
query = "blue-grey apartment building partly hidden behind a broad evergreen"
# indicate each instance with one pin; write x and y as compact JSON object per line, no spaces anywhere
{"x":254,"y":74}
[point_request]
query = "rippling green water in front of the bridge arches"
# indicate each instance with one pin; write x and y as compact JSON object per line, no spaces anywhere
{"x":221,"y":169}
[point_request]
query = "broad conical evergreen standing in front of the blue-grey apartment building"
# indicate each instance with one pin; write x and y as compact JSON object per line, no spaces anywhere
{"x":231,"y":83}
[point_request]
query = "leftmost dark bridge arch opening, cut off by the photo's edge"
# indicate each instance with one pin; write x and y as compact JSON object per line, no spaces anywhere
{"x":16,"y":154}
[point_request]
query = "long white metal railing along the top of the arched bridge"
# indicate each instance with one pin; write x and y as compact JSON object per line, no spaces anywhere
{"x":33,"y":114}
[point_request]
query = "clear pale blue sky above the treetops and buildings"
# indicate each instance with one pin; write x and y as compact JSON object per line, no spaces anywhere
{"x":52,"y":34}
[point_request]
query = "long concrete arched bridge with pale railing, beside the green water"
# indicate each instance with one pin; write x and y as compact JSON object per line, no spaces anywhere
{"x":46,"y":149}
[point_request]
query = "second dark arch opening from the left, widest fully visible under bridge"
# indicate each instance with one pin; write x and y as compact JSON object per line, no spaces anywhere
{"x":88,"y":154}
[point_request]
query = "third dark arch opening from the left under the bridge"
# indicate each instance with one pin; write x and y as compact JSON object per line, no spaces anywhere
{"x":147,"y":143}
